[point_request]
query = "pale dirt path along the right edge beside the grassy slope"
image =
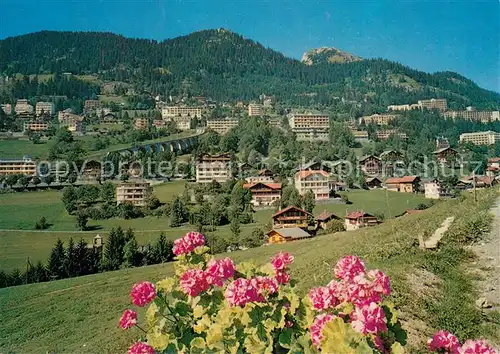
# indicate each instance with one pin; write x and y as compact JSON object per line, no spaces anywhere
{"x":488,"y":263}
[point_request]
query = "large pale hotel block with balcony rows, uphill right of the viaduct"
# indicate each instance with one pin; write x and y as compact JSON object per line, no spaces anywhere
{"x":310,"y":127}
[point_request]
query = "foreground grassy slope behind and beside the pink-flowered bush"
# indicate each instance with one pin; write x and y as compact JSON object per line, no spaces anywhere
{"x":80,"y":315}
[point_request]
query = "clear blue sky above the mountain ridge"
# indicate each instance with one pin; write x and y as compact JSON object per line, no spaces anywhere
{"x":435,"y":35}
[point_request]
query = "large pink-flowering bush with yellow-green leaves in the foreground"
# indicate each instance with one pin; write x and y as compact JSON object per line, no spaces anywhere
{"x":216,"y":306}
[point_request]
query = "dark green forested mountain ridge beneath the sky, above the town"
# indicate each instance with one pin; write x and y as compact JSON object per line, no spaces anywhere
{"x":225,"y":66}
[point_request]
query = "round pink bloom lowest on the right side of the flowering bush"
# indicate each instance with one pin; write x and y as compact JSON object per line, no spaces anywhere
{"x":369,"y":319}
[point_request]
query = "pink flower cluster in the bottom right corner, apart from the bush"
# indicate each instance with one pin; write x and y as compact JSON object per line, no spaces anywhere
{"x":445,"y":342}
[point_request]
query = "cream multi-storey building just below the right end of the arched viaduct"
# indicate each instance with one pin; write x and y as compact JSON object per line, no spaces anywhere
{"x":213,"y":168}
